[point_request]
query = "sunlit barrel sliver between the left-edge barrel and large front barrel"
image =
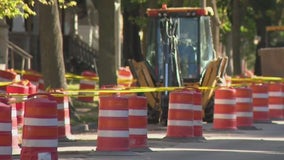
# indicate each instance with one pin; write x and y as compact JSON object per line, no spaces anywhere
{"x":15,"y":135}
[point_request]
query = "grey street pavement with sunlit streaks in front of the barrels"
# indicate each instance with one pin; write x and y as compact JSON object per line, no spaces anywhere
{"x":264,"y":142}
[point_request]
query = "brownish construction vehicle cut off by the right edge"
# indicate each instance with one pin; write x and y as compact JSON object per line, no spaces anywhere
{"x":272,"y":55}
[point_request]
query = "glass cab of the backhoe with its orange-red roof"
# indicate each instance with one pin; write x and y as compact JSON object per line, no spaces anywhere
{"x":179,"y":44}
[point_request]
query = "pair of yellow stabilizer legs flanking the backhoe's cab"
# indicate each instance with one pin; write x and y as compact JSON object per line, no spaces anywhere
{"x":212,"y":78}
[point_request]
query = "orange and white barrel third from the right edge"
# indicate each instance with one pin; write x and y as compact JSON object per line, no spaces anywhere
{"x":244,"y":107}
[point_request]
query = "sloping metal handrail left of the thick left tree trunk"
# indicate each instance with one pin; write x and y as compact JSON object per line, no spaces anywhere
{"x":26,"y":57}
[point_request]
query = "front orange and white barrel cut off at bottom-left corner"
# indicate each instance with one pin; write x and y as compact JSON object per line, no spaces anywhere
{"x":5,"y":132}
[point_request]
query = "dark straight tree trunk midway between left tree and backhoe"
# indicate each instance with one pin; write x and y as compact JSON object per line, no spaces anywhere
{"x":107,"y":64}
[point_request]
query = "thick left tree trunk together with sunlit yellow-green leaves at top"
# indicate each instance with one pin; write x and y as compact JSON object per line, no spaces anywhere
{"x":51,"y":48}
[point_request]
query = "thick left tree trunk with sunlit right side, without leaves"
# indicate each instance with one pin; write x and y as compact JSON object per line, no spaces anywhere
{"x":51,"y":48}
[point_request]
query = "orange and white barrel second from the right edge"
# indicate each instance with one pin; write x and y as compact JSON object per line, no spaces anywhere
{"x":260,"y":102}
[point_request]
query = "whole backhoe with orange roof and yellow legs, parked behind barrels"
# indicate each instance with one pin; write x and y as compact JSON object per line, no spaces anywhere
{"x":179,"y":53}
